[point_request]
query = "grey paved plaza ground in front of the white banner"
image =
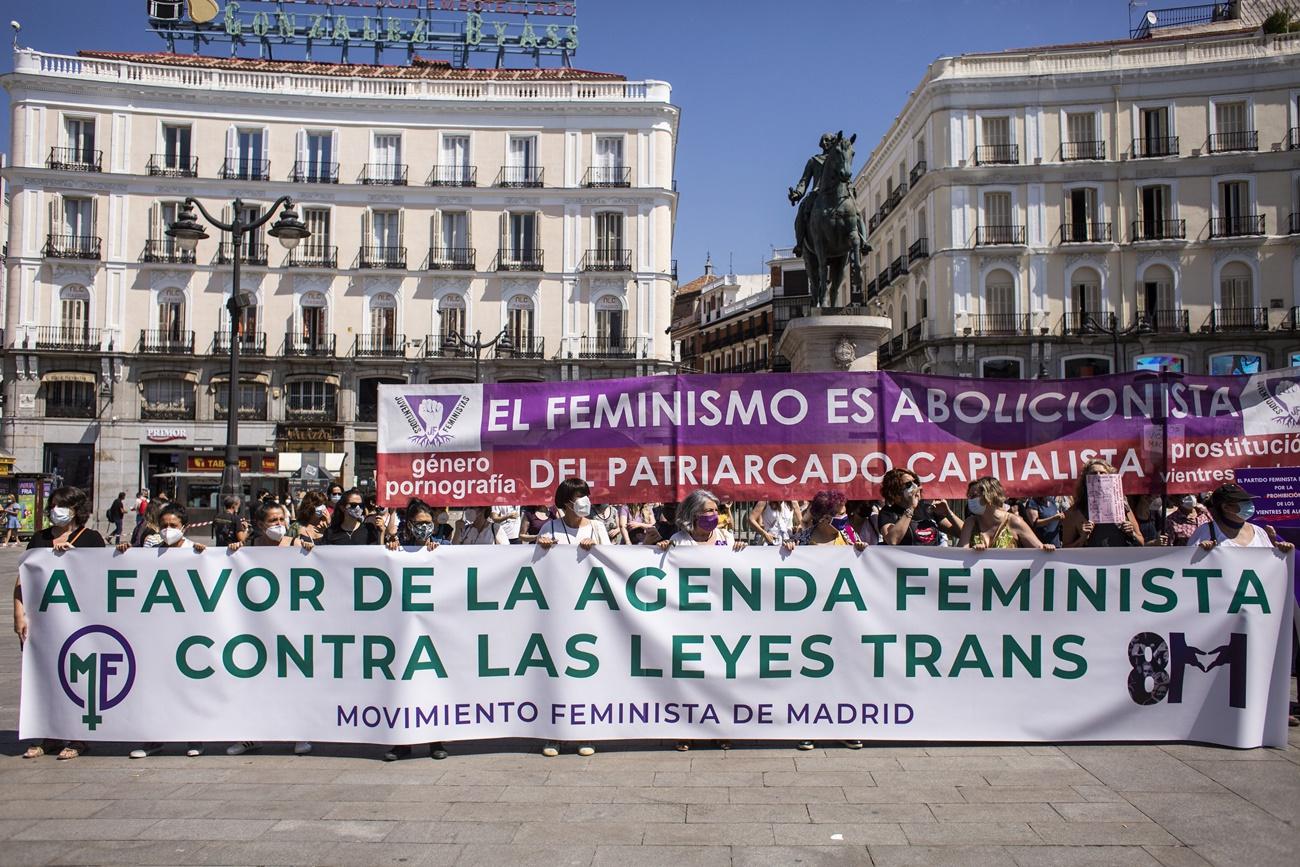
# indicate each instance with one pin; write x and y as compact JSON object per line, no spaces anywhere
{"x":502,"y":804}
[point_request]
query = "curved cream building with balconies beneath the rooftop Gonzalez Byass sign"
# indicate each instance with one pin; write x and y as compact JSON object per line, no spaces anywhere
{"x":536,"y":203}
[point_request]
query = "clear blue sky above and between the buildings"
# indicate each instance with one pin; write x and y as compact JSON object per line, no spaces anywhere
{"x":757,"y":83}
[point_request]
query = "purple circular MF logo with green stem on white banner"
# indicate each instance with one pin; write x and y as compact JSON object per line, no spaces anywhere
{"x":97,"y":670}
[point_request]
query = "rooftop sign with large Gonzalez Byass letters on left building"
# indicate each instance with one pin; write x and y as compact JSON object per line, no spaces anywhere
{"x":457,"y":27}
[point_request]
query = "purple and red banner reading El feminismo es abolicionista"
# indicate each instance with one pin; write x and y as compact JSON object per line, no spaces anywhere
{"x":788,"y":436}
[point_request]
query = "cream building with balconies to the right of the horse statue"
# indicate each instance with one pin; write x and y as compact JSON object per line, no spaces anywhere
{"x":1072,"y":210}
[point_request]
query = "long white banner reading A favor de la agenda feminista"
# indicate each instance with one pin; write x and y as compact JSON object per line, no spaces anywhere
{"x":365,"y":645}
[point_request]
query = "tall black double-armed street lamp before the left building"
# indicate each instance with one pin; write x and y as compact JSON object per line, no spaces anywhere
{"x":188,"y":233}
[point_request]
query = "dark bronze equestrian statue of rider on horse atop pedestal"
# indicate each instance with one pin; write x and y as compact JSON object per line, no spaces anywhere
{"x":829,"y":231}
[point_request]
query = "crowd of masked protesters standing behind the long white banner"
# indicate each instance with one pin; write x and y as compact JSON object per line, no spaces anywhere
{"x":989,"y":519}
